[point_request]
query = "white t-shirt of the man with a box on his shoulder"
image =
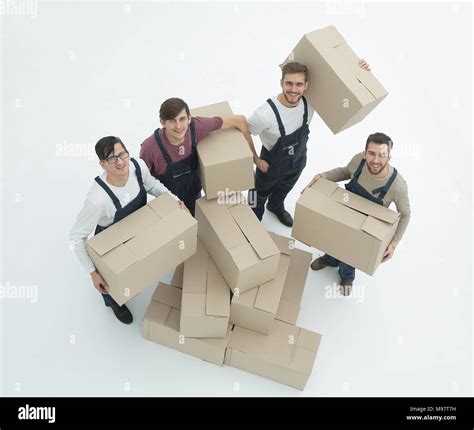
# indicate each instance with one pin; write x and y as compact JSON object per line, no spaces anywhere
{"x":264,"y":123}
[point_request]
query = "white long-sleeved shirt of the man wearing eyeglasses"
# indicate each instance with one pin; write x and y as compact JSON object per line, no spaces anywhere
{"x":99,"y":208}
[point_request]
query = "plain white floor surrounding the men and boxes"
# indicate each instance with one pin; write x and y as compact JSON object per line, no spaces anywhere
{"x":76,"y":71}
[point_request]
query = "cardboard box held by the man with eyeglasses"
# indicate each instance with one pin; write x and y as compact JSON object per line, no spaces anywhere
{"x":134,"y":252}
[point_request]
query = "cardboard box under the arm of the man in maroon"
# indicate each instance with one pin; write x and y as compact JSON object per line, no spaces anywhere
{"x":225,"y":159}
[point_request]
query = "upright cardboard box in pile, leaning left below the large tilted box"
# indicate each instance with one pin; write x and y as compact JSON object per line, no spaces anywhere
{"x":205,"y":306}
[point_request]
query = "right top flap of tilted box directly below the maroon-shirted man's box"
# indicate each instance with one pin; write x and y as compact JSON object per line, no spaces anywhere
{"x":254,"y":231}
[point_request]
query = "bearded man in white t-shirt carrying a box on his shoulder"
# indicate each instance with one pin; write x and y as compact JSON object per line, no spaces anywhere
{"x":282,"y":123}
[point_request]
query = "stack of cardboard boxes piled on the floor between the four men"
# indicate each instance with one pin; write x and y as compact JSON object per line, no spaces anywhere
{"x":236,"y":300}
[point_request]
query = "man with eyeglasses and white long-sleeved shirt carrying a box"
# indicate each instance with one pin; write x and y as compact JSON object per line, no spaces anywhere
{"x":113,"y":195}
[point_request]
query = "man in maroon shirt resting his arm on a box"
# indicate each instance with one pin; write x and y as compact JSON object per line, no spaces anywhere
{"x":170,"y":152}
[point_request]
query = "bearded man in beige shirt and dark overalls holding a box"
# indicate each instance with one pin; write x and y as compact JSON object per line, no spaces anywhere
{"x":374,"y":178}
